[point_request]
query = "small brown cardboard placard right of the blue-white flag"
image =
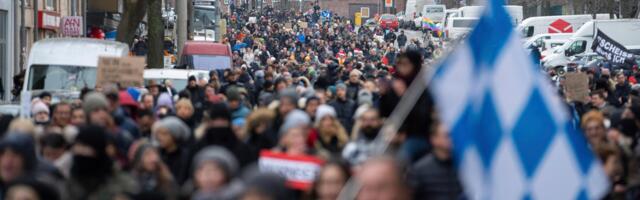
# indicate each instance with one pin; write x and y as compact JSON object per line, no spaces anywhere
{"x":577,"y":87}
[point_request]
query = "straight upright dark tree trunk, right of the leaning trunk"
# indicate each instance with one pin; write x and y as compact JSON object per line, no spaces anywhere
{"x":155,"y":34}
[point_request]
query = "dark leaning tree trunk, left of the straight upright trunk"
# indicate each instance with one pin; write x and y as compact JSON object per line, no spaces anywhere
{"x":134,"y":11}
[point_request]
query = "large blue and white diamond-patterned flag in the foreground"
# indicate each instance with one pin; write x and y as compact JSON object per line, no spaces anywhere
{"x":512,"y":135}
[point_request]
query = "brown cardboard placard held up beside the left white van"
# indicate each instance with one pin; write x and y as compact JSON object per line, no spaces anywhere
{"x":126,"y":71}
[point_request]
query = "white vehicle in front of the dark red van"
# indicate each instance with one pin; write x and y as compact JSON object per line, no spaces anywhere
{"x":178,"y":77}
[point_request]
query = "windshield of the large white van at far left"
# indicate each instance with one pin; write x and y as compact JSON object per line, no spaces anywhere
{"x":61,"y":77}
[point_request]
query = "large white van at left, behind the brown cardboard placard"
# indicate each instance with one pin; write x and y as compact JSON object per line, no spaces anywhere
{"x":64,"y":66}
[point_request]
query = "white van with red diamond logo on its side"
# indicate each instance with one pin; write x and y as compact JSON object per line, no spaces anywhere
{"x":555,"y":24}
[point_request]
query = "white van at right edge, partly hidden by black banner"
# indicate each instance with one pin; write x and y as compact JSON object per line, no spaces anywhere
{"x":623,"y":31}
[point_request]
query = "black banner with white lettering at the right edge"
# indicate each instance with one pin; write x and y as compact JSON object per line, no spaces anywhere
{"x":610,"y":49}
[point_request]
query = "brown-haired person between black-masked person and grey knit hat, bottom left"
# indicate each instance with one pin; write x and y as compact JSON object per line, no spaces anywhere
{"x":151,"y":174}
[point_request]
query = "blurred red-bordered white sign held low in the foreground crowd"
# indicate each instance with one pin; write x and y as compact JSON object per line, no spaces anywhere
{"x":300,"y":171}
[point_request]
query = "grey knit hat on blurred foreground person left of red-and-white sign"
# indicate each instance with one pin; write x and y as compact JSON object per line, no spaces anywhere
{"x":220,"y":156}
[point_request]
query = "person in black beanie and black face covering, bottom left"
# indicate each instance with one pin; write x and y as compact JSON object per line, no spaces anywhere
{"x":93,"y":175}
